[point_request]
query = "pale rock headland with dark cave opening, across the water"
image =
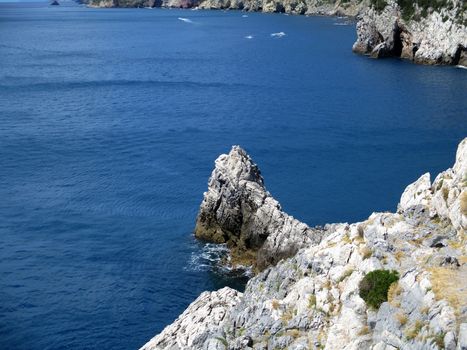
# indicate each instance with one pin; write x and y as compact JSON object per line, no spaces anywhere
{"x":427,"y":36}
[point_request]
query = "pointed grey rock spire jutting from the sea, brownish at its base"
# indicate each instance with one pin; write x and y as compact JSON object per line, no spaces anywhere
{"x":238,"y":210}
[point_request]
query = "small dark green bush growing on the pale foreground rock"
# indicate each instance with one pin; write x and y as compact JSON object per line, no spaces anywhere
{"x":375,"y":285}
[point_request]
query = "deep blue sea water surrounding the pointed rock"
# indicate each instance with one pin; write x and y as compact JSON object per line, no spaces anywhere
{"x":110,"y":122}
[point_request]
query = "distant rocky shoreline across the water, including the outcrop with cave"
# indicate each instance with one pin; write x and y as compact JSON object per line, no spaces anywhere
{"x":425,"y":34}
